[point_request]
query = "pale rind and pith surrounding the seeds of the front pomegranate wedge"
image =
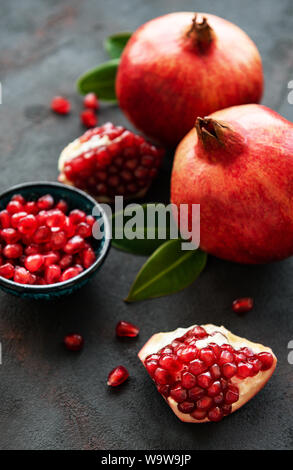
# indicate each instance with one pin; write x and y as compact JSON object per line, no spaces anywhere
{"x":248,"y":387}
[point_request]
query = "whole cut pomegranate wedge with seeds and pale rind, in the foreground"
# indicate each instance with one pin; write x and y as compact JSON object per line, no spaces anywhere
{"x":206,"y":372}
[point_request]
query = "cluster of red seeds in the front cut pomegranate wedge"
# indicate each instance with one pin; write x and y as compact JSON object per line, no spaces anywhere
{"x":198,"y":375}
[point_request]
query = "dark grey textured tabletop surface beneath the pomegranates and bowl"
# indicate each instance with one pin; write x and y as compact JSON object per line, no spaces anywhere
{"x":53,"y":399}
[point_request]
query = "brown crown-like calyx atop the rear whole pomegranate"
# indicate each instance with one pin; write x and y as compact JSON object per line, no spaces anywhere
{"x":201,"y":33}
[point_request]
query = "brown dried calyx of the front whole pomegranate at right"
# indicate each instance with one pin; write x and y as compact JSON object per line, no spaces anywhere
{"x":214,"y":135}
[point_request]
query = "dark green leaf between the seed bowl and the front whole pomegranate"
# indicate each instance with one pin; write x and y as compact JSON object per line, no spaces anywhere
{"x":144,"y":245}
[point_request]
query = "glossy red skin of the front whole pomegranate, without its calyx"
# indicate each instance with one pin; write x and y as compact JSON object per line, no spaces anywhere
{"x":246,"y":200}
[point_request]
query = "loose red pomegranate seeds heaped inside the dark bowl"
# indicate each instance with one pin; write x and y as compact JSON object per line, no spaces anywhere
{"x":40,"y":244}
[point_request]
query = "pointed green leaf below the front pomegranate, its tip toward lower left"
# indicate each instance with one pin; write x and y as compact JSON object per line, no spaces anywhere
{"x":167,"y":271}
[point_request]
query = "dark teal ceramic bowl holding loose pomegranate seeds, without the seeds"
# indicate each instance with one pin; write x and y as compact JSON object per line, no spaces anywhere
{"x":75,"y":199}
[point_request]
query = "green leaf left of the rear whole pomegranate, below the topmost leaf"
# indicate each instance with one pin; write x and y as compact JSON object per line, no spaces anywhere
{"x":100,"y":80}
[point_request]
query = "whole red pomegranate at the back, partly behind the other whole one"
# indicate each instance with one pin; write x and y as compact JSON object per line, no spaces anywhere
{"x":183,"y":65}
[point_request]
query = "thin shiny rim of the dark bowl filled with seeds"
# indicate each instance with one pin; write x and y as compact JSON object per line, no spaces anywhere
{"x":70,"y":282}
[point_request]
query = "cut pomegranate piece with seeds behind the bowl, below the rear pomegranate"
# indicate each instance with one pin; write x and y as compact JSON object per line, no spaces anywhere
{"x":107,"y":161}
